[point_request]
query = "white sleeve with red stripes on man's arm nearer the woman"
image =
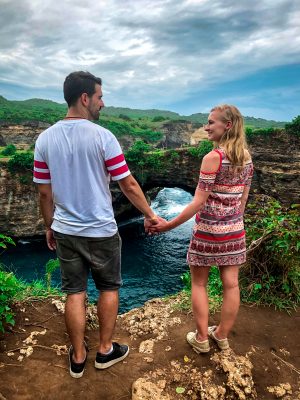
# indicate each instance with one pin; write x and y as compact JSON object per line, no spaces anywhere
{"x":115,"y":161}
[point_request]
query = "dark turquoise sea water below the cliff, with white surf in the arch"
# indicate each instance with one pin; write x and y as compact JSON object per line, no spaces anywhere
{"x":151,"y":265}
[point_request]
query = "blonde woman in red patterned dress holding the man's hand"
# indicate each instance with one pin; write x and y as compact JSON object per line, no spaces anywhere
{"x":218,"y":235}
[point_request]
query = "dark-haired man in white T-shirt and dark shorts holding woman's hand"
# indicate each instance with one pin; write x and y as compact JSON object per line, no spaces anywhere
{"x":73,"y":163}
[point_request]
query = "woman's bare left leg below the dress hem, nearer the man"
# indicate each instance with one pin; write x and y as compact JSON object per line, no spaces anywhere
{"x":200,"y":300}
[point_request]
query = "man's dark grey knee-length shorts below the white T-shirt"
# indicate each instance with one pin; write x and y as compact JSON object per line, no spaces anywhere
{"x":78,"y":255}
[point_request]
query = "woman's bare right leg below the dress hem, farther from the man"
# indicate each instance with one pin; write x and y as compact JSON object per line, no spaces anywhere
{"x":231,"y":300}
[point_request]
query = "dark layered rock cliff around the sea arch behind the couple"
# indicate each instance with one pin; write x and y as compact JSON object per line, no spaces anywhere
{"x":276,"y":159}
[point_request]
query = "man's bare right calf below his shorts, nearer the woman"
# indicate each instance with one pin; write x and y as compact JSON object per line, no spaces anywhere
{"x":107,"y":309}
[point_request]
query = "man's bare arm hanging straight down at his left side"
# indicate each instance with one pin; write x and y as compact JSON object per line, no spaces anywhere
{"x":47,"y":209}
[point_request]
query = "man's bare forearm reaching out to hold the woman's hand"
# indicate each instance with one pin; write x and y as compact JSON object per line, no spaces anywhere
{"x":133,"y":192}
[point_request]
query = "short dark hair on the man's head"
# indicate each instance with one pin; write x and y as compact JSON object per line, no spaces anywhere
{"x":77,"y":83}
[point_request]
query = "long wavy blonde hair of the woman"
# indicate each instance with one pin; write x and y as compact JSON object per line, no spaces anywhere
{"x":234,"y":139}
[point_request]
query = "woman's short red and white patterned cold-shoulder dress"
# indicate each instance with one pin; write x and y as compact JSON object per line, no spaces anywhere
{"x":218,"y":236}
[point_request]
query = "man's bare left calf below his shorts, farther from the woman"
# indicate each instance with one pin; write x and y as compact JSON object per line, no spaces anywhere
{"x":75,"y":323}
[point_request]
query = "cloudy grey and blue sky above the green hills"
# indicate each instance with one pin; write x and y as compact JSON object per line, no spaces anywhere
{"x":184,"y":56}
